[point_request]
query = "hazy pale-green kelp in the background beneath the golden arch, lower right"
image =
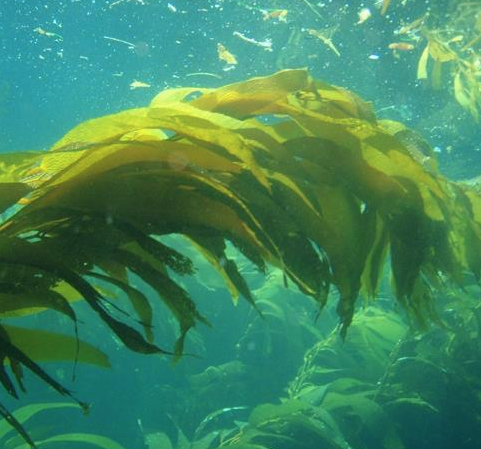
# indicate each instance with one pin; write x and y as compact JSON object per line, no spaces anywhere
{"x":386,"y":387}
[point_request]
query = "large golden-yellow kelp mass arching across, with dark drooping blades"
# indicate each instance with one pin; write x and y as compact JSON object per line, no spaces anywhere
{"x":291,"y":171}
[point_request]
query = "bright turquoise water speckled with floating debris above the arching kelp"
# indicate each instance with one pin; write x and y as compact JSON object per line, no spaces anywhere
{"x":48,"y":84}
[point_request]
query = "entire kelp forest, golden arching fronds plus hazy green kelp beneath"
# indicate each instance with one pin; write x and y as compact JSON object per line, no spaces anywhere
{"x":283,"y":176}
